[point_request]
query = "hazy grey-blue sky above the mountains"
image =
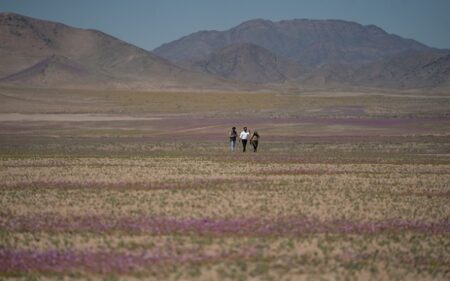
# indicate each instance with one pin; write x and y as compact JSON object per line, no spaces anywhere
{"x":149,"y":23}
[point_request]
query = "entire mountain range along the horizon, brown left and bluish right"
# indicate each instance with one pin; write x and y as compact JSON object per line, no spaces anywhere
{"x":39,"y":53}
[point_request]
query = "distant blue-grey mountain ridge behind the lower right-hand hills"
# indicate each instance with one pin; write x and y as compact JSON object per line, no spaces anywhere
{"x":308,"y":42}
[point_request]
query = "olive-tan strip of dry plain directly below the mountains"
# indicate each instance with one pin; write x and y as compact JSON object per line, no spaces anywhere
{"x":327,"y":103}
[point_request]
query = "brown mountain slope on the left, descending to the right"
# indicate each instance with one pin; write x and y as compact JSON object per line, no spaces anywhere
{"x":44,"y":53}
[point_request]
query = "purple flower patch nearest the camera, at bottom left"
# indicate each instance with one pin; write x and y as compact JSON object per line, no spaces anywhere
{"x":103,"y":262}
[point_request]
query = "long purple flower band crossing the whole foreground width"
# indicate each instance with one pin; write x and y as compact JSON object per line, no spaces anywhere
{"x":216,"y":227}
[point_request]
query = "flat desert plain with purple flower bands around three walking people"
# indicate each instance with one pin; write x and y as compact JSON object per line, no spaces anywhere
{"x":107,"y":186}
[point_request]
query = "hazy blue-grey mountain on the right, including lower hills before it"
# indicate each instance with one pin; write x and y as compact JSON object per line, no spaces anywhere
{"x":312,"y":52}
